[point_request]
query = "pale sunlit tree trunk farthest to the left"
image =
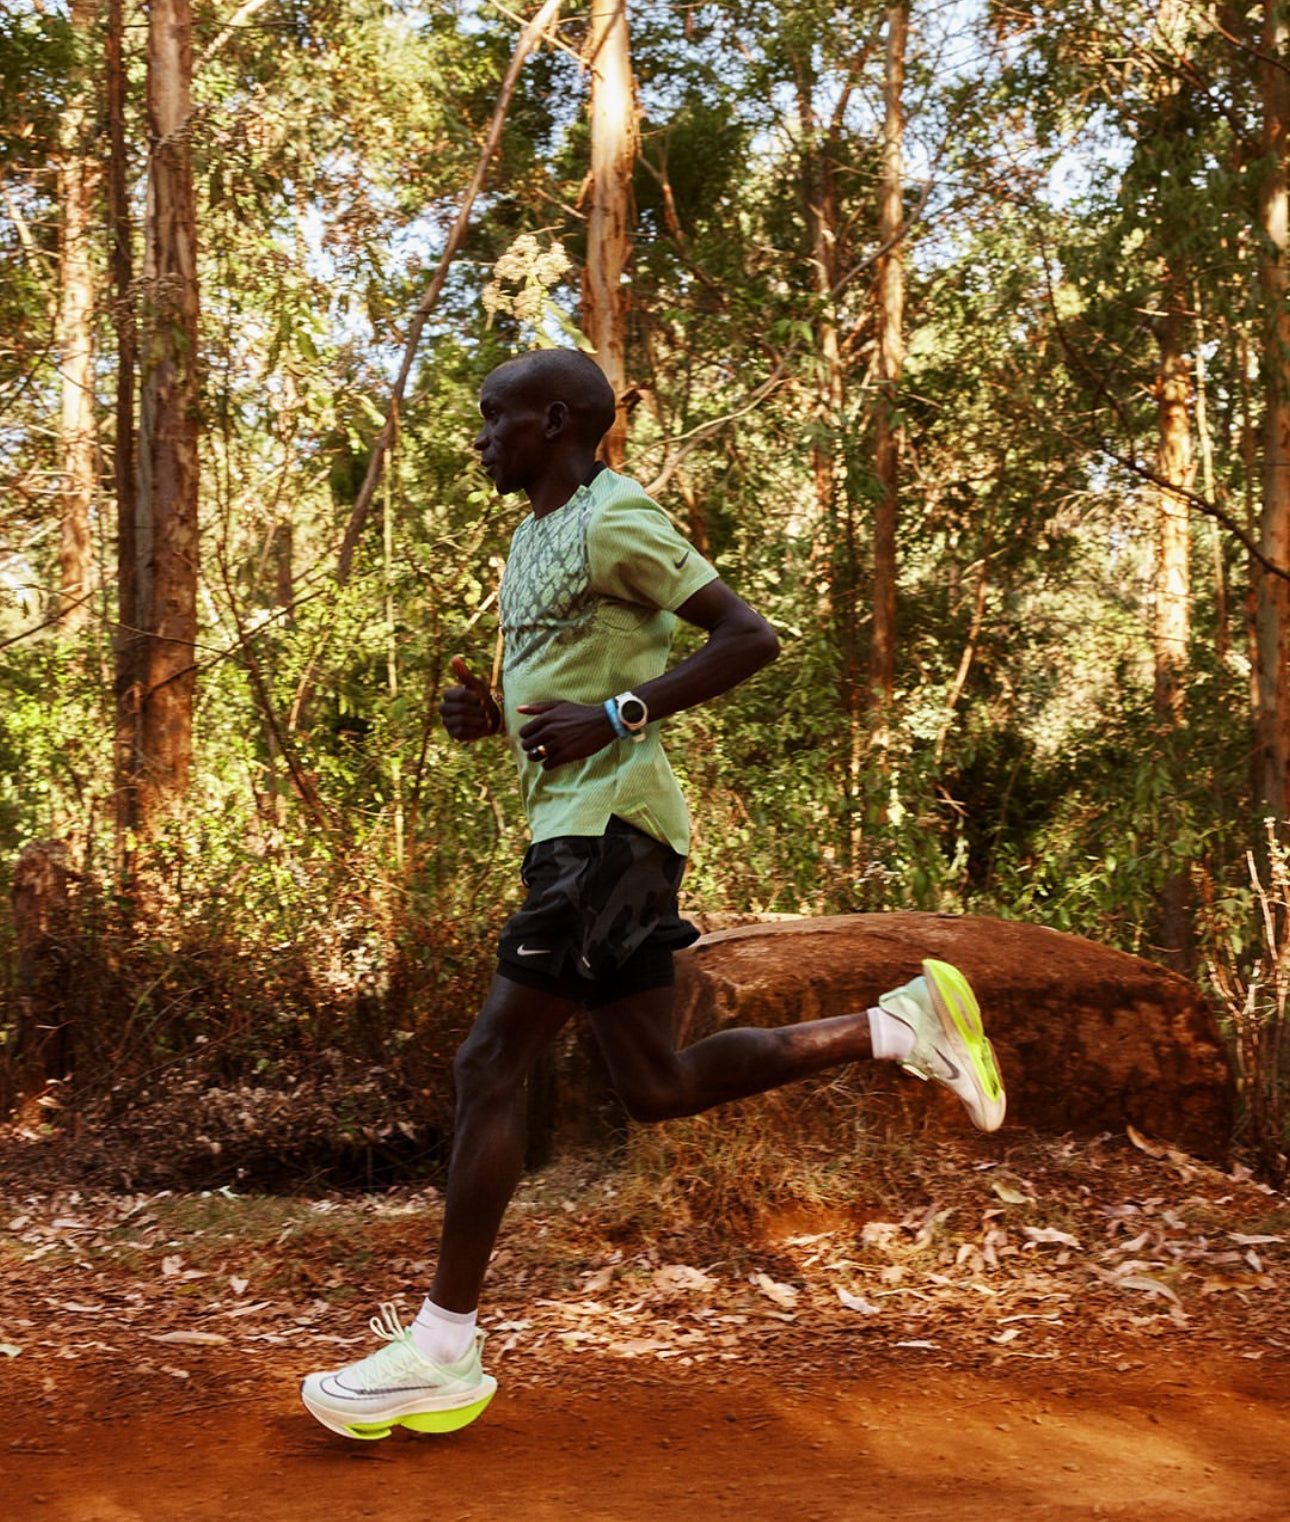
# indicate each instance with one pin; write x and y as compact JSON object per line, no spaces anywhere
{"x":77,"y":334}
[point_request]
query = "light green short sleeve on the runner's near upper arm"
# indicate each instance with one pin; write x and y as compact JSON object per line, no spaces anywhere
{"x":637,"y":556}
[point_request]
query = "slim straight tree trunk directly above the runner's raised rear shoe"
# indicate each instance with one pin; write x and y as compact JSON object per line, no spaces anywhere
{"x":891,"y":304}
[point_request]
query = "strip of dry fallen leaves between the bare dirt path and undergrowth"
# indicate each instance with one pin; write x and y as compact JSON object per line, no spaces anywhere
{"x":1070,"y":1252}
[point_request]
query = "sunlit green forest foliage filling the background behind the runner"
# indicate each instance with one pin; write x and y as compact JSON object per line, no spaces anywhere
{"x":343,"y":867}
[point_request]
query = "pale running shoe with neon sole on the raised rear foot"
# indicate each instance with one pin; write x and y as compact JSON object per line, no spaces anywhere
{"x":950,"y":1043}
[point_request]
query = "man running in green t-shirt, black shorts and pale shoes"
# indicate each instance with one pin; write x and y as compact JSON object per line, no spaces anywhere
{"x":594,"y":584}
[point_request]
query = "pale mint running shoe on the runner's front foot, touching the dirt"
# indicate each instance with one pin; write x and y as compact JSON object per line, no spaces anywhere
{"x":398,"y":1386}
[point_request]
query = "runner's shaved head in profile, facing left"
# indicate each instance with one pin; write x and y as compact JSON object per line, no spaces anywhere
{"x":544,"y":416}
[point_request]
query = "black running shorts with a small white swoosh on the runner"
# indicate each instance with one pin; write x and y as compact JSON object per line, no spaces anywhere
{"x":600,"y":920}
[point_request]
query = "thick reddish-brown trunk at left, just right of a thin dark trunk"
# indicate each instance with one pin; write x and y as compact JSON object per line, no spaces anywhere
{"x":167,"y":549}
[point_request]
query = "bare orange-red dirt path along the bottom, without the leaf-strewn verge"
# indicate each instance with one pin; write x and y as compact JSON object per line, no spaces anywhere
{"x":1166,"y":1442}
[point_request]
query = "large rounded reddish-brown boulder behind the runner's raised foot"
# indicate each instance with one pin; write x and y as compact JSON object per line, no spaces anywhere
{"x":1088,"y":1039}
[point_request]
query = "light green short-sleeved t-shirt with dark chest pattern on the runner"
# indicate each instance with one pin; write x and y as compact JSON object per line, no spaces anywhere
{"x":586,"y":603}
